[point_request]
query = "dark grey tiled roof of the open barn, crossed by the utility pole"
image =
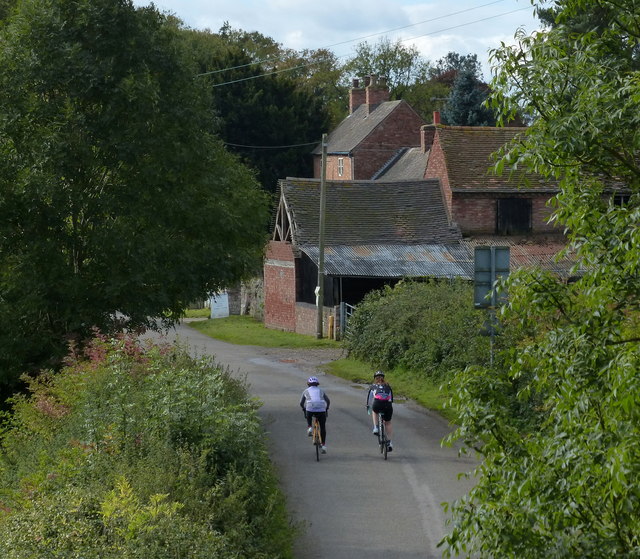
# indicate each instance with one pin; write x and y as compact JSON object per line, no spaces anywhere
{"x":368,"y":212}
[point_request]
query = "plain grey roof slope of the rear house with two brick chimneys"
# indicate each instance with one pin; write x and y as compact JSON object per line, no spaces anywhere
{"x":356,"y":127}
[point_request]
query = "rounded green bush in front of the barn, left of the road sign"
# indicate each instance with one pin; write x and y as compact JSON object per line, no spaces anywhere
{"x":428,"y":328}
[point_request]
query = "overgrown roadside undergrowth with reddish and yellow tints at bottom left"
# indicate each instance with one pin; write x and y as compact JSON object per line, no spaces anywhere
{"x":138,"y":451}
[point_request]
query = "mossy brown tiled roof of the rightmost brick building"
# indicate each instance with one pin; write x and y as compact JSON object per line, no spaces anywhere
{"x":468,"y":151}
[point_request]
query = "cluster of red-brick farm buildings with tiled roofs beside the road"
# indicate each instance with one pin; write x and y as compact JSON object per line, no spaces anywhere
{"x":403,"y":199}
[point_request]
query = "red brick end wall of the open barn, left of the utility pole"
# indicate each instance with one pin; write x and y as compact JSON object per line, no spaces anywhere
{"x":280,"y":287}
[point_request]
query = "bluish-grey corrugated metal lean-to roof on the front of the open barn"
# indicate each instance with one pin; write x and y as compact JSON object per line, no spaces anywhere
{"x":395,"y":261}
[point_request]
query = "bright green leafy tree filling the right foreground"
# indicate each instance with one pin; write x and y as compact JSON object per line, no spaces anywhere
{"x":559,"y":429}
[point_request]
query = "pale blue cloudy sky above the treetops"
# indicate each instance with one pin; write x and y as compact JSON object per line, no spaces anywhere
{"x":434,"y":27}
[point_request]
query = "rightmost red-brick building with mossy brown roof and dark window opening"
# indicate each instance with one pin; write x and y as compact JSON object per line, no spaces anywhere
{"x":510,"y":209}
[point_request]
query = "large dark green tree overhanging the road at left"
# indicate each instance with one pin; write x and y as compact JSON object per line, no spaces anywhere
{"x":117,"y":202}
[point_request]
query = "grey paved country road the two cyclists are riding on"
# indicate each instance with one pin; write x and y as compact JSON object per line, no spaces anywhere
{"x":352,"y":504}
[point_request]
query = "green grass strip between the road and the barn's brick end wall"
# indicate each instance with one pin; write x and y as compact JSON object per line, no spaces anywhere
{"x":244,"y":330}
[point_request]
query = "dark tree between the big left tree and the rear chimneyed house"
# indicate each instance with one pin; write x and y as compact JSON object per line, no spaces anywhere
{"x":271,"y":120}
